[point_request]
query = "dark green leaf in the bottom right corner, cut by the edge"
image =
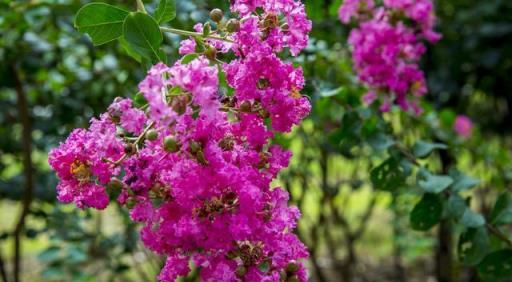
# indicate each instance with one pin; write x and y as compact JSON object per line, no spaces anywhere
{"x":496,"y":265}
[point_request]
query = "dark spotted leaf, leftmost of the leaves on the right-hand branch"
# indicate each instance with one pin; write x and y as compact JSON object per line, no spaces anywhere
{"x":388,"y":176}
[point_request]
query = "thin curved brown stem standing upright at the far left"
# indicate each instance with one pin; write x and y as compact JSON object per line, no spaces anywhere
{"x":24,"y":116}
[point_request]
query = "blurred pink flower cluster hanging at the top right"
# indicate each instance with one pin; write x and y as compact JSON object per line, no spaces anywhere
{"x":387,"y":47}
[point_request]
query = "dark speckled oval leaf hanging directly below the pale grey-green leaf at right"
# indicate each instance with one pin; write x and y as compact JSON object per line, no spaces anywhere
{"x":427,"y":212}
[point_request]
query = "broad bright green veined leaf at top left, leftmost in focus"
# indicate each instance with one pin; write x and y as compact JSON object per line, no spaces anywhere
{"x":102,"y":22}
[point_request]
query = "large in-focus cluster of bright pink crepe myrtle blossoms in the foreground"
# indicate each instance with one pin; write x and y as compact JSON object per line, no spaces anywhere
{"x":194,"y":165}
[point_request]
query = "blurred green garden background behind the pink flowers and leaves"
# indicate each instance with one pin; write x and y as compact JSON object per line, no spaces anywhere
{"x":53,"y":80}
